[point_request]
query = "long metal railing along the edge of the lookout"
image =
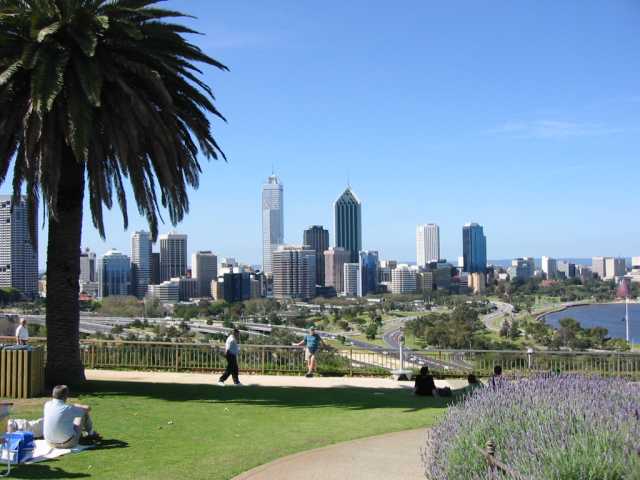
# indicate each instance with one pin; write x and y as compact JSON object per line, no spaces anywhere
{"x":278,"y":359}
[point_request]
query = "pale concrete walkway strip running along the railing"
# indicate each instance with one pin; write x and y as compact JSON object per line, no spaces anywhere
{"x":258,"y":380}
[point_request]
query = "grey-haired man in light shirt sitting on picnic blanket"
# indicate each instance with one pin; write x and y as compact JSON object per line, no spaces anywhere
{"x":64,"y":423}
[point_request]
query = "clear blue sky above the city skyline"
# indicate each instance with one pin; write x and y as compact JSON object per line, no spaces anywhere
{"x":522,"y":116}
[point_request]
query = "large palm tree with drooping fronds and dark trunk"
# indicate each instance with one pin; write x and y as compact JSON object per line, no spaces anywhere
{"x":95,"y":93}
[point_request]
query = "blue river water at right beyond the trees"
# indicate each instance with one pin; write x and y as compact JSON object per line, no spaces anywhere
{"x":609,"y":316}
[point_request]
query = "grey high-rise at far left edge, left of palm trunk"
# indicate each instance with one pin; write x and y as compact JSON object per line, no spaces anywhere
{"x":18,"y":251}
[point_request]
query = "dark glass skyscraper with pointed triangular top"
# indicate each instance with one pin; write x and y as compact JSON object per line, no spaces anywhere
{"x":348,"y":223}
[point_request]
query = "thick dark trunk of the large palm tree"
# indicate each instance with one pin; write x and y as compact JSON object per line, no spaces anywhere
{"x":63,"y":271}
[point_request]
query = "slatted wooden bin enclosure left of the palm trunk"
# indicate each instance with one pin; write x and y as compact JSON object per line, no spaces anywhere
{"x":21,"y":373}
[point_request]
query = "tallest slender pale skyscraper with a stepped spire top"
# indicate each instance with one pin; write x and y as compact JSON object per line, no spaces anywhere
{"x":272,"y":221}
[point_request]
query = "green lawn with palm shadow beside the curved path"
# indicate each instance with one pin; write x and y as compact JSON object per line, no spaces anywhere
{"x":165,"y":431}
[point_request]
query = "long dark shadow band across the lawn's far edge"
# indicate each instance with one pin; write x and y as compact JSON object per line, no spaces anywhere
{"x":353,"y":398}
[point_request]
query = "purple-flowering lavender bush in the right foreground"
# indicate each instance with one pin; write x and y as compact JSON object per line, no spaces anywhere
{"x":563,"y":427}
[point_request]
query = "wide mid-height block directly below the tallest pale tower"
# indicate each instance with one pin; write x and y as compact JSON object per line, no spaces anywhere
{"x":294,"y":272}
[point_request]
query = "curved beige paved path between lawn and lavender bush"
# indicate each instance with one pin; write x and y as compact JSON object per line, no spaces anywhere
{"x":394,"y":456}
